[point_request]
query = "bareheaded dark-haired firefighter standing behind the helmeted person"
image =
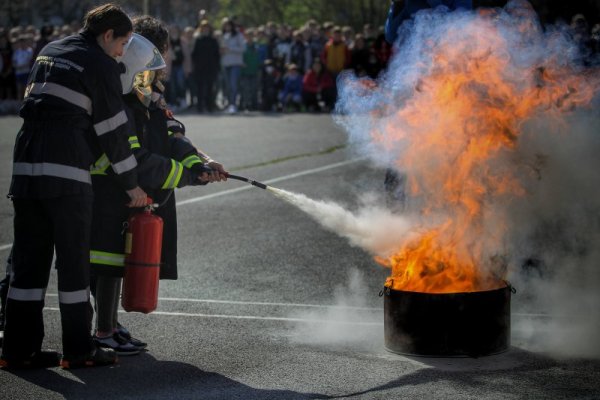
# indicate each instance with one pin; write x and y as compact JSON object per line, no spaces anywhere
{"x":72,"y":111}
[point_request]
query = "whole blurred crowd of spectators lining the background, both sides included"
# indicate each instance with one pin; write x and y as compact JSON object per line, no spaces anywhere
{"x":271,"y":67}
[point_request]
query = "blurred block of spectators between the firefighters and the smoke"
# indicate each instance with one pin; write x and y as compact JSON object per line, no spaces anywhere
{"x":270,"y":67}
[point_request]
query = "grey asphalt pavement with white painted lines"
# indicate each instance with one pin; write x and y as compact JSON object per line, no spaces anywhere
{"x":268,"y":304}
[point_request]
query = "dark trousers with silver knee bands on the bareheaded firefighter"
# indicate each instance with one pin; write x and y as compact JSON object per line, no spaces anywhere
{"x":42,"y":227}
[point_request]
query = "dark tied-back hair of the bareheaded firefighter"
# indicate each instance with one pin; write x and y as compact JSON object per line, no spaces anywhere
{"x":105,"y":17}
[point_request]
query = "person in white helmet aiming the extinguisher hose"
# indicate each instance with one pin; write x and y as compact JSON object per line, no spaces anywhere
{"x":166,"y":160}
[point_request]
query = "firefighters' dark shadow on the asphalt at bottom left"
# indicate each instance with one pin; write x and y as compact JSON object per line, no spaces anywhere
{"x":145,"y":377}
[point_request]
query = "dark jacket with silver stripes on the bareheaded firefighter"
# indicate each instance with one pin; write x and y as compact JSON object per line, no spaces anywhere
{"x":73,"y":112}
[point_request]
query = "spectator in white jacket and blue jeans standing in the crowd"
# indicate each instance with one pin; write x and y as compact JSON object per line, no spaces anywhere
{"x":233,"y":46}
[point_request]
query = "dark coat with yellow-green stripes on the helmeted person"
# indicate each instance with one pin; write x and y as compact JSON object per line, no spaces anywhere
{"x":165,"y":162}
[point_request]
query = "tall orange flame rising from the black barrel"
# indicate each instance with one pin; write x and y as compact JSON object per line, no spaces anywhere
{"x":458,"y":129}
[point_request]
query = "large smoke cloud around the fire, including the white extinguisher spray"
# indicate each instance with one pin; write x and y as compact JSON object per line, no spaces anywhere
{"x":494,"y":122}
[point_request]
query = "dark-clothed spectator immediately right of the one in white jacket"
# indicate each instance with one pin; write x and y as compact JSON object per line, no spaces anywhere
{"x":249,"y":75}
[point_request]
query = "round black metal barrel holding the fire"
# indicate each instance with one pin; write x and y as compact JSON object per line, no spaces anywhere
{"x":468,"y":324}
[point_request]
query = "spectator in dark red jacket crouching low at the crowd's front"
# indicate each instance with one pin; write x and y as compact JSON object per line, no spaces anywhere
{"x":318,"y":86}
